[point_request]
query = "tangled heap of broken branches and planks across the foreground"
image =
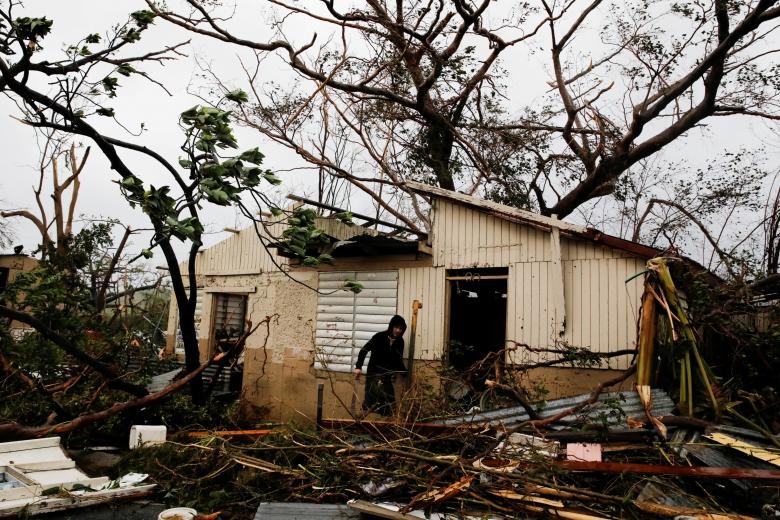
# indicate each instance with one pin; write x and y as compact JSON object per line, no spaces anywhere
{"x":468,"y":470}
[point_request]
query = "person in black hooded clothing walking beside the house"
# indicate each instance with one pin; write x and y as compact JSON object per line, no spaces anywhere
{"x":387,"y":350}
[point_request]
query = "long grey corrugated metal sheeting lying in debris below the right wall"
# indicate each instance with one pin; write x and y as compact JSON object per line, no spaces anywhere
{"x":605,"y":409}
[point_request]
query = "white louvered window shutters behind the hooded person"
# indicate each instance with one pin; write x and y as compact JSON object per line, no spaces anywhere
{"x":346,"y":321}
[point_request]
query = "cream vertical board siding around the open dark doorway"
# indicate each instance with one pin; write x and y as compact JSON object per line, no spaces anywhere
{"x":601,"y":309}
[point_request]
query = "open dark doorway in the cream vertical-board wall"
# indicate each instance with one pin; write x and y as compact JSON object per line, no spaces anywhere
{"x":477,"y":314}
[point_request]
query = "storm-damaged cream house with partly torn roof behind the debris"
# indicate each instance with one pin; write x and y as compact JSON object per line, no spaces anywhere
{"x":488,"y":276}
